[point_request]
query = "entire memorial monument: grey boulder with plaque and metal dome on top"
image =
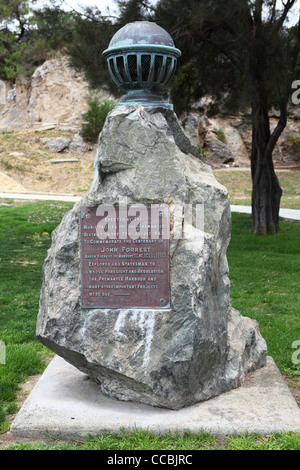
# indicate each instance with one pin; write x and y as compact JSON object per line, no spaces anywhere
{"x":136,"y":289}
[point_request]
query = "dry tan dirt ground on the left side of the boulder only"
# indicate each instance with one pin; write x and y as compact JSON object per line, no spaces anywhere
{"x":27,"y":165}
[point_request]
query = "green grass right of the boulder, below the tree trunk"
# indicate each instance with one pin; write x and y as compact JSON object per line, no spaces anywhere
{"x":264,"y":275}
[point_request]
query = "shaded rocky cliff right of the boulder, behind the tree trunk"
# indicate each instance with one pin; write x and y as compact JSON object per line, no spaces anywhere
{"x":226,"y":141}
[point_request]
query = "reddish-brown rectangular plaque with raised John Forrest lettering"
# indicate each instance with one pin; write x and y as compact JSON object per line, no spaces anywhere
{"x":125,"y":257}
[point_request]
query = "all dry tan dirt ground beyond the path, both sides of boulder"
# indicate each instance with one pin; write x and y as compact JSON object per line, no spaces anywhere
{"x":27,"y":166}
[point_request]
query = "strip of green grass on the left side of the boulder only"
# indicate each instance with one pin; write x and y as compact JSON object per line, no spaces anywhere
{"x":24,"y":239}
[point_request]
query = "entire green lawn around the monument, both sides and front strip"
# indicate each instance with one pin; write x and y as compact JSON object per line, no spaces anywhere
{"x":264,"y":274}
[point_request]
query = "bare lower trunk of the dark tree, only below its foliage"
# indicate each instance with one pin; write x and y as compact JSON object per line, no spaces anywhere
{"x":266,"y":189}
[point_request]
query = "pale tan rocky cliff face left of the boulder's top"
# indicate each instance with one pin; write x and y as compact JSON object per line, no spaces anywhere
{"x":56,"y":94}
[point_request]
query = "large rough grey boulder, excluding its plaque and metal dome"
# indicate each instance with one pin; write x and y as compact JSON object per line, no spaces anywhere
{"x":198,"y":348}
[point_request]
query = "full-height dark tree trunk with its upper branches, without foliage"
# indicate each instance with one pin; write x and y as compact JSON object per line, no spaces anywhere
{"x":266,"y":189}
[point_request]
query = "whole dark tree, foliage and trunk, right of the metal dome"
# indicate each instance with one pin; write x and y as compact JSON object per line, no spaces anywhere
{"x":242,"y":55}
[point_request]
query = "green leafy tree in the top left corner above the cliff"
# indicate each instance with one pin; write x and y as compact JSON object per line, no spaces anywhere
{"x":28,"y":35}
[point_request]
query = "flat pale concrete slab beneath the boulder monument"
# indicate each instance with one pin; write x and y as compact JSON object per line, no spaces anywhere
{"x":68,"y":405}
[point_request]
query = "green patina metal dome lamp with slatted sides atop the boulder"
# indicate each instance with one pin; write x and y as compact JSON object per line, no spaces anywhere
{"x":142,"y":59}
